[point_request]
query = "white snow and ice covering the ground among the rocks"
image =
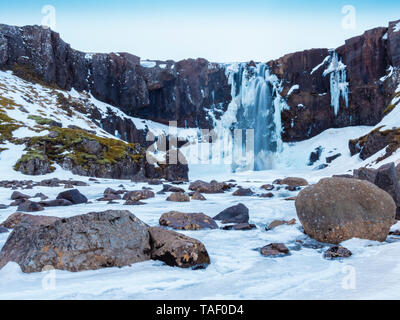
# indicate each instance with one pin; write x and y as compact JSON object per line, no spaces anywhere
{"x":237,"y":270}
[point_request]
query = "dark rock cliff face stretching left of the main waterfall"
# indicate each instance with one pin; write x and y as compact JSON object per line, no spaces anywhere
{"x":179,"y":91}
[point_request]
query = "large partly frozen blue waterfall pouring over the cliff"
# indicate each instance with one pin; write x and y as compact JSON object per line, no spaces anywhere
{"x":253,"y":117}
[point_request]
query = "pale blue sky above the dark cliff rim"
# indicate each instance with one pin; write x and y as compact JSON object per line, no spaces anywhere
{"x":221,"y":31}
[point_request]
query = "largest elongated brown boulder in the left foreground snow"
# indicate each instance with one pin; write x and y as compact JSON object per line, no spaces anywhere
{"x":84,"y":242}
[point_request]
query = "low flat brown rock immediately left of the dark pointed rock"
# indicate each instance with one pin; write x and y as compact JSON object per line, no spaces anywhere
{"x":187,"y":221}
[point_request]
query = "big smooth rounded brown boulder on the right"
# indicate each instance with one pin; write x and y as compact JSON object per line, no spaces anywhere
{"x":337,"y":209}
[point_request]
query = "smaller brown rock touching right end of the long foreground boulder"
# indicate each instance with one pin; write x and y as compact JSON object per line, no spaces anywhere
{"x":176,"y":249}
